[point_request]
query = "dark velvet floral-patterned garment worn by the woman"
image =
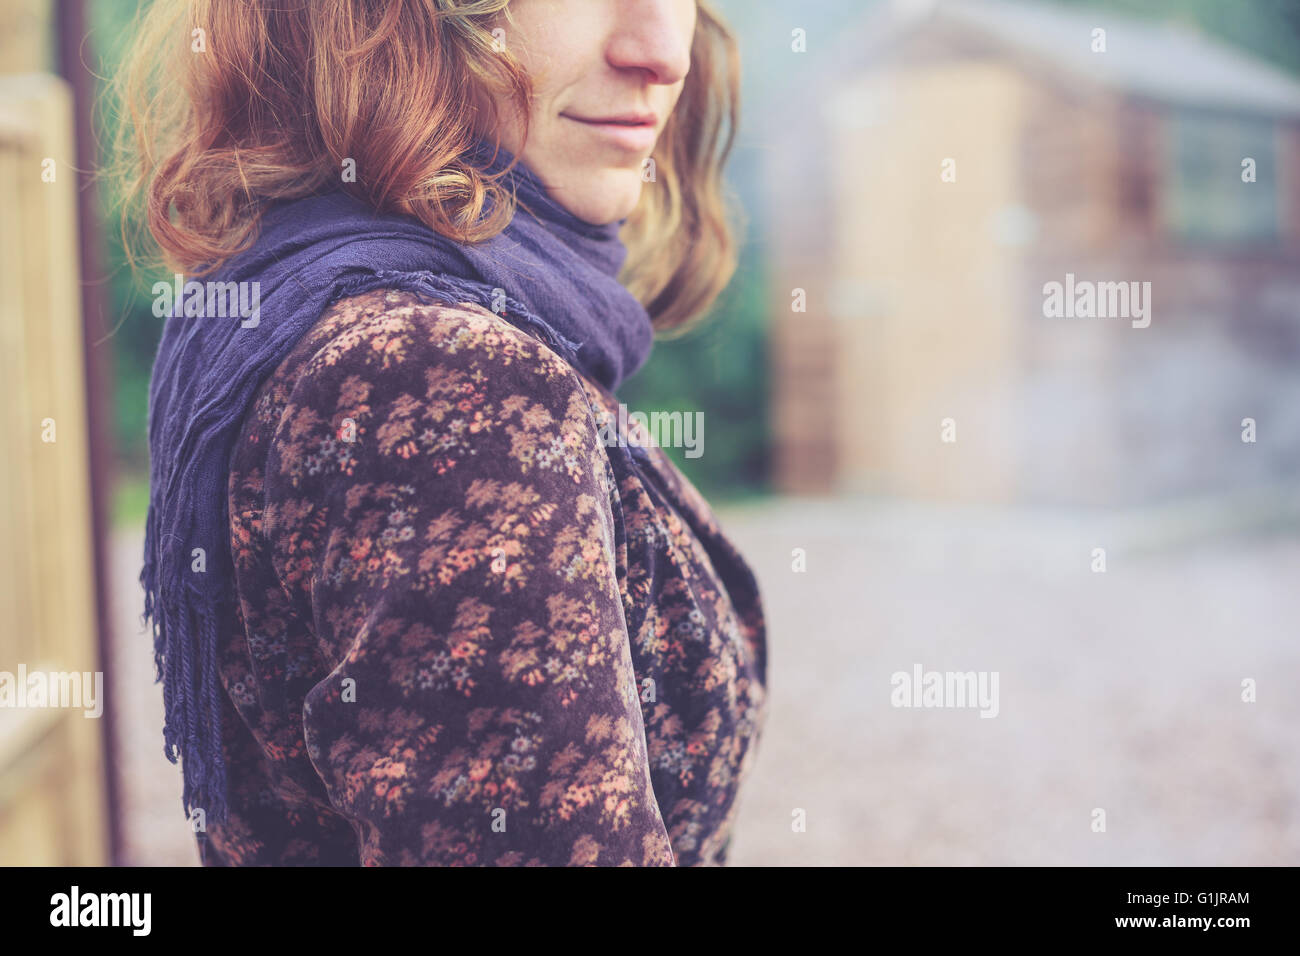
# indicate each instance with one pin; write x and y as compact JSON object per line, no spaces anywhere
{"x":470,"y":628}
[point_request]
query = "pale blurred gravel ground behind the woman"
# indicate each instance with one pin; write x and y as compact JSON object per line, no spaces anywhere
{"x":1119,"y":693}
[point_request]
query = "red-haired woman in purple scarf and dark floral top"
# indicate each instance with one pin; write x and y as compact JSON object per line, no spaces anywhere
{"x":411,"y":603}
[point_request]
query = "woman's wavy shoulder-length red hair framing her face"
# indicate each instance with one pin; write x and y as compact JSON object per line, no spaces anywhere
{"x":233,"y":103}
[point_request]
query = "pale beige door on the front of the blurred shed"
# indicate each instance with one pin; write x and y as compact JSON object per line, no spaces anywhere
{"x":925,"y":314}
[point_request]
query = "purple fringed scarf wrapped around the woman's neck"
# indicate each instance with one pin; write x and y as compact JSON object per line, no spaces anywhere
{"x":548,"y":272}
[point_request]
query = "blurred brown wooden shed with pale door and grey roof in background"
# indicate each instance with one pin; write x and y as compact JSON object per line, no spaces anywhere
{"x":956,"y":158}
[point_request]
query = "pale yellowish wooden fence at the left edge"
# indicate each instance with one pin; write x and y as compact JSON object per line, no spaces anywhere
{"x":53,"y":795}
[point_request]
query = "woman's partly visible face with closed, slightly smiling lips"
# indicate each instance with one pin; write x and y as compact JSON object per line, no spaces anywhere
{"x":606,"y":75}
